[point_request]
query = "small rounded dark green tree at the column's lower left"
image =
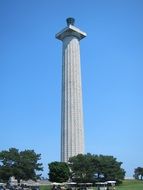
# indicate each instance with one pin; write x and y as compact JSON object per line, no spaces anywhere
{"x":58,"y":172}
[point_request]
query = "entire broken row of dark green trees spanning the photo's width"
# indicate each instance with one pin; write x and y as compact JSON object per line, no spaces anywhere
{"x":81,"y":168}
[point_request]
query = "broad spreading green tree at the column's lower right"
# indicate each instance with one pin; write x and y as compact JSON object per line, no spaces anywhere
{"x":91,"y":168}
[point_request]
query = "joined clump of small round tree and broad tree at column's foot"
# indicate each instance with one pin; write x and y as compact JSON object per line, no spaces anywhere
{"x":87,"y":169}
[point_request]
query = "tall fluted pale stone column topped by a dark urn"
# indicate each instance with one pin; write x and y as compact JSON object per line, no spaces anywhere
{"x":72,"y":131}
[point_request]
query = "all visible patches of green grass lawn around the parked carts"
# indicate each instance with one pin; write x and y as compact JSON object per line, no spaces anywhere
{"x":126,"y":185}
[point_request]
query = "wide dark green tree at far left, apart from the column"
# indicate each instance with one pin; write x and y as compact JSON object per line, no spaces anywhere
{"x":21,"y":164}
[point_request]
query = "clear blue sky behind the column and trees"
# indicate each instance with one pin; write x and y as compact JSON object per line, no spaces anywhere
{"x":112,"y":67}
